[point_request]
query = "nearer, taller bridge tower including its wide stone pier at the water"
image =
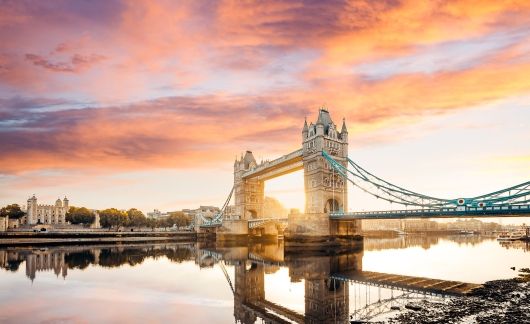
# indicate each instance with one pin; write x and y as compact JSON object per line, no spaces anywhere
{"x":326,"y":190}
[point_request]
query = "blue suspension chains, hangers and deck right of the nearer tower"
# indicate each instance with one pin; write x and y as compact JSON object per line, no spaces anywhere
{"x":515,"y":196}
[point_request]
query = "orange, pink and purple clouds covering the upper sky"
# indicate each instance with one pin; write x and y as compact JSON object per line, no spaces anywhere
{"x":186,"y":84}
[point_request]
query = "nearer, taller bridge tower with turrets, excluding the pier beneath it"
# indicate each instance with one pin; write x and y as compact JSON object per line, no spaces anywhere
{"x":325,"y":189}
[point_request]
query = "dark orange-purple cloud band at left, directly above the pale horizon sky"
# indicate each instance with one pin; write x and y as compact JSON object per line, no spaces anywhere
{"x":169,"y":132}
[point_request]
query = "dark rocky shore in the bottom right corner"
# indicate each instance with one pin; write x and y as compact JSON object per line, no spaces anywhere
{"x":498,"y":301}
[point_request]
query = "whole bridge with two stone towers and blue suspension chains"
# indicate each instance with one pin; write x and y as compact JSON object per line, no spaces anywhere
{"x":326,"y":220}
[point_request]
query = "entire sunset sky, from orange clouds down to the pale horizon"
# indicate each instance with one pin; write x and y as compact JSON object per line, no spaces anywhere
{"x":146,"y":103}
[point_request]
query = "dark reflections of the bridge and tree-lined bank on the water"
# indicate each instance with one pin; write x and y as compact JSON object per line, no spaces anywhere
{"x":336,"y":289}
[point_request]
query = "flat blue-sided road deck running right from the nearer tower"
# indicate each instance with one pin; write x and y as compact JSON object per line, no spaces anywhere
{"x":449,"y":212}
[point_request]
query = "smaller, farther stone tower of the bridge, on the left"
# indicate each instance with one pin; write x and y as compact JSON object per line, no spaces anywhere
{"x":249,"y":192}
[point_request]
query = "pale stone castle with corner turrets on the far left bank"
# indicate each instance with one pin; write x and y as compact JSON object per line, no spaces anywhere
{"x":46,"y":214}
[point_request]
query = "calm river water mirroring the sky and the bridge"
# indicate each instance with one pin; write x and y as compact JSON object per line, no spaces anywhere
{"x":202,"y":283}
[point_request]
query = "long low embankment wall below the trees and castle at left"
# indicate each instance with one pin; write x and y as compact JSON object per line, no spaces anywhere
{"x":92,"y":237}
